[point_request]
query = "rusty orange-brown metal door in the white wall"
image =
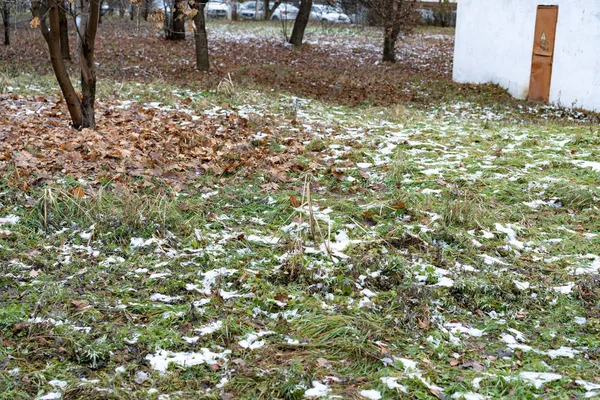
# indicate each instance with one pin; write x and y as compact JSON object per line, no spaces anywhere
{"x":543,"y":53}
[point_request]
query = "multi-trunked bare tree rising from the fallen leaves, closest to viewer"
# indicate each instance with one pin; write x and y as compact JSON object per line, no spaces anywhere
{"x":47,"y":16}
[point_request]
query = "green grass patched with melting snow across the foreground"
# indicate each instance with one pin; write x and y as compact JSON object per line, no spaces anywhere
{"x":75,"y":302}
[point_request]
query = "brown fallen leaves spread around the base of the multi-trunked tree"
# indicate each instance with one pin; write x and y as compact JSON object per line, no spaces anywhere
{"x":132,"y":141}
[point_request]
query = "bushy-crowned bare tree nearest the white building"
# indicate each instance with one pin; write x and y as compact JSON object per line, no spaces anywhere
{"x":397,"y":16}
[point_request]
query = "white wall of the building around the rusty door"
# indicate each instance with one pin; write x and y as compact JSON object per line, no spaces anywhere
{"x":494,"y":42}
